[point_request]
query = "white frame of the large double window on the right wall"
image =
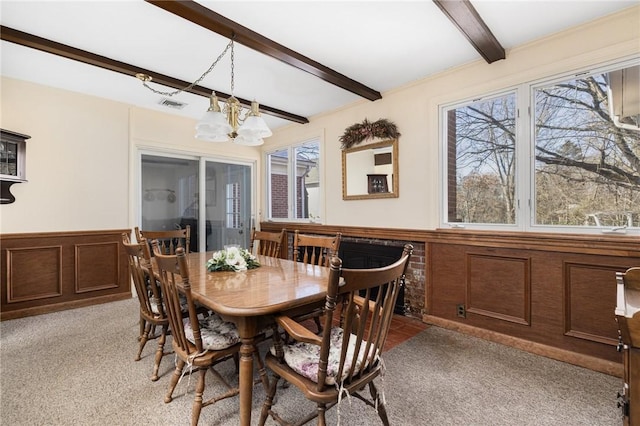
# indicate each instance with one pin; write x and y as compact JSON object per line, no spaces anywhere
{"x":525,"y":149}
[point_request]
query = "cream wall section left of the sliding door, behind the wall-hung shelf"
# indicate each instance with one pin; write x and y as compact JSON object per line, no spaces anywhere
{"x":76,"y":160}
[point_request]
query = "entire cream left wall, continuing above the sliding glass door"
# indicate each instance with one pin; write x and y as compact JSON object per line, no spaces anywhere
{"x":83,"y":157}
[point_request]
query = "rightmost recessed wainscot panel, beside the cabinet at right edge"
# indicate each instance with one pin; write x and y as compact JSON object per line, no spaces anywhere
{"x":590,"y":296}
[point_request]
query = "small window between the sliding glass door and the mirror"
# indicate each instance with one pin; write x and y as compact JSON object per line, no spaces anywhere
{"x":293,"y":182}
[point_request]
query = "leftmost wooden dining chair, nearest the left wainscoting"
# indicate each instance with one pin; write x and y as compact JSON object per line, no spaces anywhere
{"x":152,"y":313}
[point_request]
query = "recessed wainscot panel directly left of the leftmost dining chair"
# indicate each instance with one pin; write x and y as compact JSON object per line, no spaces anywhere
{"x":97,"y":266}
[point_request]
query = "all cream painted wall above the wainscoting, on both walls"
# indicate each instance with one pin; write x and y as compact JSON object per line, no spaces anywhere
{"x":82,"y":158}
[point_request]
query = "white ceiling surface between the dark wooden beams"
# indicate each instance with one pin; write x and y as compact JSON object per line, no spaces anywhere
{"x":382,"y":44}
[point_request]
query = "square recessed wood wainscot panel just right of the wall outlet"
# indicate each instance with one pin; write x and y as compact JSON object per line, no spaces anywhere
{"x":499,"y":287}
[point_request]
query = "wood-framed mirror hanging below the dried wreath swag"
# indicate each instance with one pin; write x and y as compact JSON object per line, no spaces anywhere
{"x":370,"y":171}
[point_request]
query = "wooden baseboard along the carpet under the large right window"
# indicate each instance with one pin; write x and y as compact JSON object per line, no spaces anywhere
{"x":581,"y":360}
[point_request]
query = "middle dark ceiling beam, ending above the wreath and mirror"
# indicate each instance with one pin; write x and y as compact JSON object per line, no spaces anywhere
{"x":217,"y":23}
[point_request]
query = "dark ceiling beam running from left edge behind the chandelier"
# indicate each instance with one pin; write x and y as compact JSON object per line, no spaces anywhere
{"x":49,"y":46}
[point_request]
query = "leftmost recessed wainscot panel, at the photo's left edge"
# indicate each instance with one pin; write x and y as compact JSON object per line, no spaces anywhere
{"x":33,"y":273}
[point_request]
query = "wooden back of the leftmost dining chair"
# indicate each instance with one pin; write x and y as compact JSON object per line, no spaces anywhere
{"x":141,"y":270}
